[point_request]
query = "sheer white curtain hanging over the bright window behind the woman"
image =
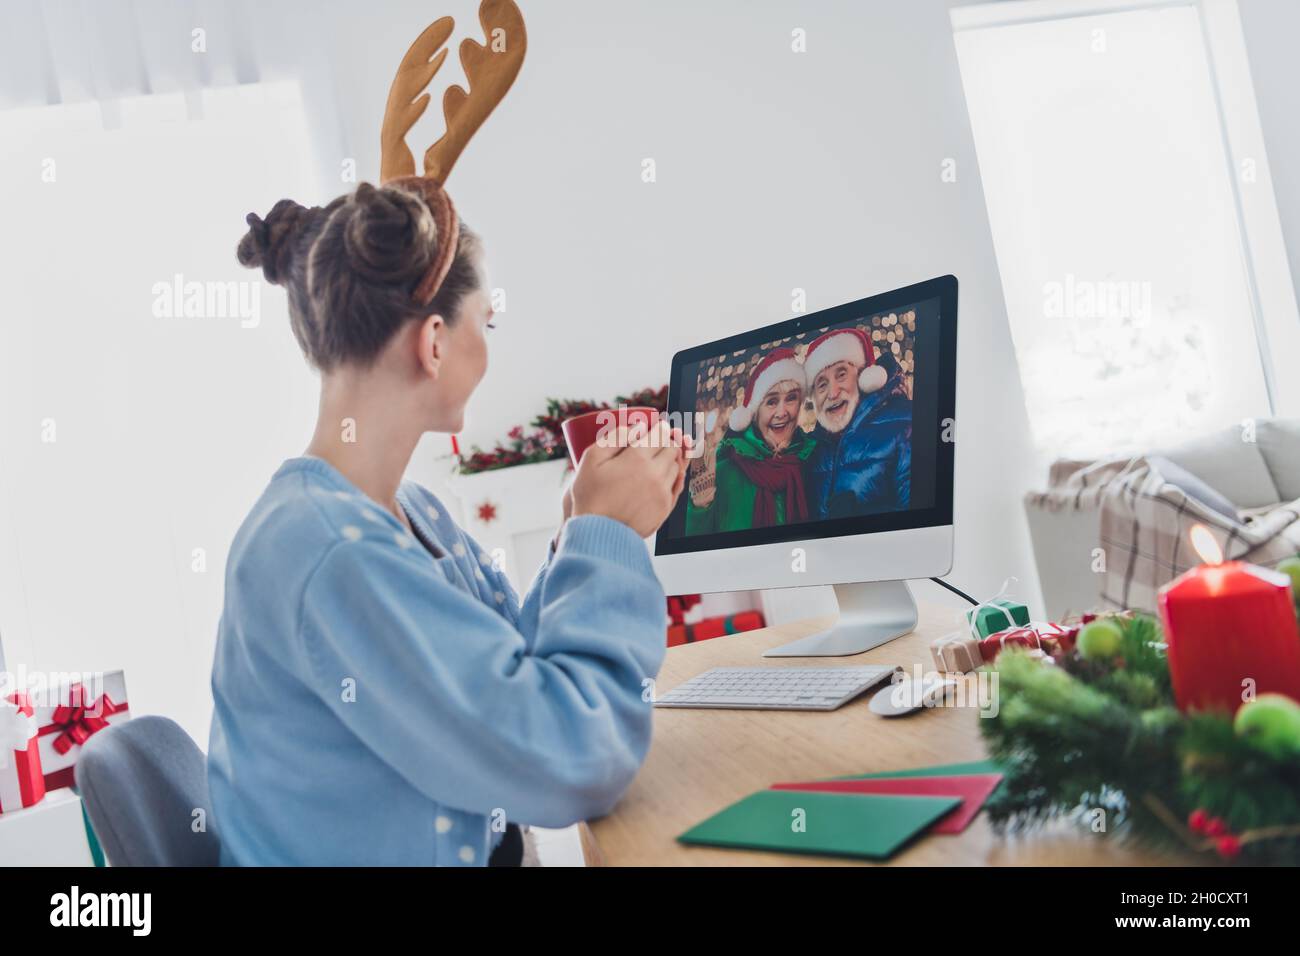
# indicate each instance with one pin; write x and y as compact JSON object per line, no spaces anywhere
{"x":135,"y":440}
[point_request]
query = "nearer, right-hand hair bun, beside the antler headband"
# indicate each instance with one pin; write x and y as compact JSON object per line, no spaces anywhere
{"x":389,"y":236}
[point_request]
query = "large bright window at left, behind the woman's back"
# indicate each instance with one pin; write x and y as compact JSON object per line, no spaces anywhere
{"x":150,"y":384}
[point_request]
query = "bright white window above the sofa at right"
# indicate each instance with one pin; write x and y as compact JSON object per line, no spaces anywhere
{"x":1138,"y":304}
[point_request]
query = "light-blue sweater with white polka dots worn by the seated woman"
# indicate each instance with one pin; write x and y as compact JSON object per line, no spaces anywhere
{"x":378,"y":704}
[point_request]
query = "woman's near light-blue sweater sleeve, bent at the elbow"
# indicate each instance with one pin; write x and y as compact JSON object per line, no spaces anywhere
{"x":448,"y":693}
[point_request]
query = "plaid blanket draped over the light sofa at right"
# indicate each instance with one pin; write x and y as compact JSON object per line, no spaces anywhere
{"x":1146,"y":526}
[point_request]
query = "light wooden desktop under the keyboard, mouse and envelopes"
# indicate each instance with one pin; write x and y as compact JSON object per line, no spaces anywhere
{"x":704,"y":760}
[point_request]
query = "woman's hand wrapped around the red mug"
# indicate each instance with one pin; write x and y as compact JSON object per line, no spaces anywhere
{"x":636,"y":481}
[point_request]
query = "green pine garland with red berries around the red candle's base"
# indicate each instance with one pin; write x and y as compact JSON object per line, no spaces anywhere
{"x":1095,"y":736}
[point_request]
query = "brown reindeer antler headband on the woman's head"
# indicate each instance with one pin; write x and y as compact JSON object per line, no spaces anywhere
{"x":491,"y":70}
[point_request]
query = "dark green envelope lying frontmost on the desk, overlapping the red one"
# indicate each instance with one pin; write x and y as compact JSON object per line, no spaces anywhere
{"x":855,"y":825}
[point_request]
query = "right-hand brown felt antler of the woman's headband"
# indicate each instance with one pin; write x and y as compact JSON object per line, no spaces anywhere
{"x":491,"y":72}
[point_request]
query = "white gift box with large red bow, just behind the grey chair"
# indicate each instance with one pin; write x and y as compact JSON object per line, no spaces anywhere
{"x":72,"y":715}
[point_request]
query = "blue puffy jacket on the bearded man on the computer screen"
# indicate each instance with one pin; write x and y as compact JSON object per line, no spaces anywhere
{"x":868,"y":468}
